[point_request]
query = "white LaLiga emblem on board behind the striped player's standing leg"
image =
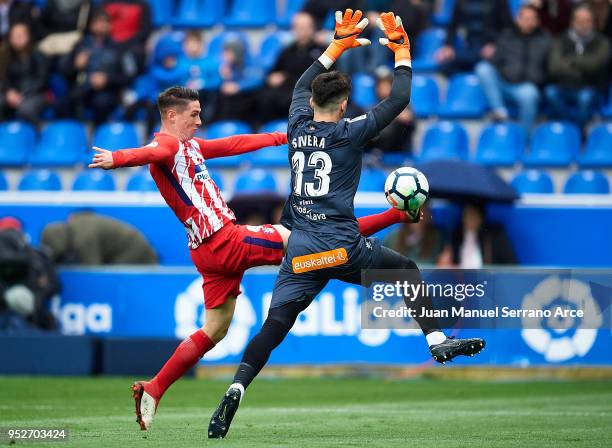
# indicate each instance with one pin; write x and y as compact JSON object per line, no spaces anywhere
{"x":189,"y":314}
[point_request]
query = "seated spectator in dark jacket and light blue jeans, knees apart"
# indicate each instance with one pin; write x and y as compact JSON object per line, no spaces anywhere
{"x":518,"y":69}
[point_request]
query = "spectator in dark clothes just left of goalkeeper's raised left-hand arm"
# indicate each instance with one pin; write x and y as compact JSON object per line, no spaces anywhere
{"x":275,"y":97}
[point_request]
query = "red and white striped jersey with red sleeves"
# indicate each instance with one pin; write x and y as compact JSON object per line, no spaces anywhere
{"x":179,"y":171}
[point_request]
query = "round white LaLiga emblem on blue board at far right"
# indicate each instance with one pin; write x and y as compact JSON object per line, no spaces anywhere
{"x":558,"y":344}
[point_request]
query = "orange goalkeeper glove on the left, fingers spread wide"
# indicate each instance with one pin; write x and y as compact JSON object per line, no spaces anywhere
{"x":348,"y":28}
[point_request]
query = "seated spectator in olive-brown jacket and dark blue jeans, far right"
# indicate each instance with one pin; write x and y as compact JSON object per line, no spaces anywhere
{"x":578,"y":66}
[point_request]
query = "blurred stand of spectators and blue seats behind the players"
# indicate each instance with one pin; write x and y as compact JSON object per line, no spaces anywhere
{"x":501,"y":82}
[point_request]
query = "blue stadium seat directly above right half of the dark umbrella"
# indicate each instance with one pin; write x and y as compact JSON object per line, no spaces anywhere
{"x":500,"y":144}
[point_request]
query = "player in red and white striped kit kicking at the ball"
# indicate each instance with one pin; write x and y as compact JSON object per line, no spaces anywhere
{"x":220,"y":249}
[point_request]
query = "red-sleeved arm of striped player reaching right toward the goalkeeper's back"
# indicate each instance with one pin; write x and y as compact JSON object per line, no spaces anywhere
{"x":239,"y":144}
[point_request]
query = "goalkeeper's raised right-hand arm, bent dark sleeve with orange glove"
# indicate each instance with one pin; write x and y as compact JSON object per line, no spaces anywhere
{"x":396,"y":40}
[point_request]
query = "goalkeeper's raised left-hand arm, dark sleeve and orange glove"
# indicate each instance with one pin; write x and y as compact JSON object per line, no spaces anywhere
{"x":346,"y":36}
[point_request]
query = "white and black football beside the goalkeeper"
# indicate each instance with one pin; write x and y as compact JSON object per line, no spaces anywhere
{"x":407,"y":189}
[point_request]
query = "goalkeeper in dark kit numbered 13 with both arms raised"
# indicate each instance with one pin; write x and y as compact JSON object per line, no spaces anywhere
{"x":325,"y":153}
